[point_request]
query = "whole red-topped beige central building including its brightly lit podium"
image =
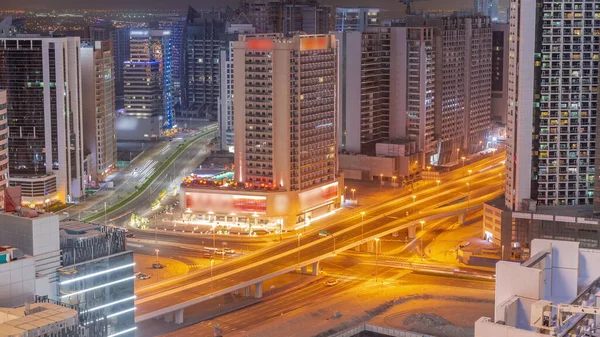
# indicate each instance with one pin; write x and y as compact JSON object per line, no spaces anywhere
{"x":286,"y":163}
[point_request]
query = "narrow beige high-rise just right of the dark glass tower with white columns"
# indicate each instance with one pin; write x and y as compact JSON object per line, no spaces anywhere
{"x":98,"y":93}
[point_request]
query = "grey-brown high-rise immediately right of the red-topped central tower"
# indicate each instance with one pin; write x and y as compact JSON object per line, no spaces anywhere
{"x":365,"y":86}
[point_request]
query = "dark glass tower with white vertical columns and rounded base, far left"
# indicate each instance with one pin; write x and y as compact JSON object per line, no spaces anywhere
{"x":42,"y":79}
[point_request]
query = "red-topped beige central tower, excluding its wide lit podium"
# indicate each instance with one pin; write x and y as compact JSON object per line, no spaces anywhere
{"x":285,"y":92}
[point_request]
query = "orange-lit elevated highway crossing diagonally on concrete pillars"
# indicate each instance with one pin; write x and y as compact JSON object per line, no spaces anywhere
{"x":483,"y":184}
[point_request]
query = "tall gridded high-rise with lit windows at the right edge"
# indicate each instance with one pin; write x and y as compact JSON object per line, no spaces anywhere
{"x":552,"y":103}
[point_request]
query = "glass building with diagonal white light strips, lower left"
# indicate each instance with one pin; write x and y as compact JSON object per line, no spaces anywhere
{"x":97,"y":274}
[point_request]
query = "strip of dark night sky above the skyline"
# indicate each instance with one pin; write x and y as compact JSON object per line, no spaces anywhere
{"x":392,"y":5}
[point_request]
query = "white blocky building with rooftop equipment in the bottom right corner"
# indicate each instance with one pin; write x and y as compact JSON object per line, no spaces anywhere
{"x":554,"y":293}
